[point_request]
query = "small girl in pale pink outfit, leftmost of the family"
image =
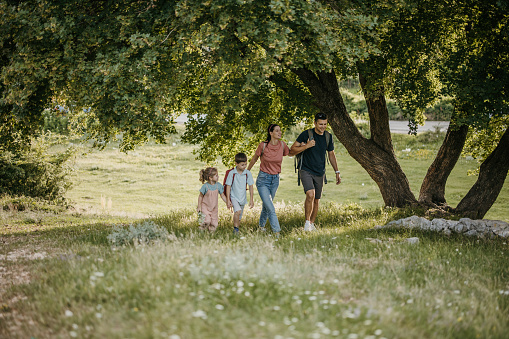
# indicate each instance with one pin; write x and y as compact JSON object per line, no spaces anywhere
{"x":208,"y":198}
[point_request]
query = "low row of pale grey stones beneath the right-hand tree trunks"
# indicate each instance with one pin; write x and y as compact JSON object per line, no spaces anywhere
{"x":466,"y":226}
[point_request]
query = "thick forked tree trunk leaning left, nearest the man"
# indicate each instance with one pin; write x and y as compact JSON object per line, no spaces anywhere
{"x":377,"y":159}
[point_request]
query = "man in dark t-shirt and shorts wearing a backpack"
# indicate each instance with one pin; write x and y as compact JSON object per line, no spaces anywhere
{"x":312,"y":166}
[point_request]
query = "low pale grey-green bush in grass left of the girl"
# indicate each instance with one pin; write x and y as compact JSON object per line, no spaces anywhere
{"x":143,"y":233}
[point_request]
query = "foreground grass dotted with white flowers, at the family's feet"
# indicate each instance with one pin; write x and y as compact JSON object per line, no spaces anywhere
{"x":329,"y":283}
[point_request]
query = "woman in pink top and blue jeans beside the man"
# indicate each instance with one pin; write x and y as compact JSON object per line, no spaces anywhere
{"x":271,"y":152}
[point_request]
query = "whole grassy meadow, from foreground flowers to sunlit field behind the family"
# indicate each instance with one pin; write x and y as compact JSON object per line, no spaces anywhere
{"x":60,"y":277}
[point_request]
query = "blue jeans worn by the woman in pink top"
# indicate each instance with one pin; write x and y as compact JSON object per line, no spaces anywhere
{"x":267,"y":185}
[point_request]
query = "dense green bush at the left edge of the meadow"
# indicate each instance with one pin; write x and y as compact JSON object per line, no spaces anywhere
{"x":36,"y":173}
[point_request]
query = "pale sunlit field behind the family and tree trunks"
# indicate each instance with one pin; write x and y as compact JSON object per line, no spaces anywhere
{"x":156,"y":179}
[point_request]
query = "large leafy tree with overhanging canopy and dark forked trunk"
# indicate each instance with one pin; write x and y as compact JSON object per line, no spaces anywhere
{"x":131,"y":66}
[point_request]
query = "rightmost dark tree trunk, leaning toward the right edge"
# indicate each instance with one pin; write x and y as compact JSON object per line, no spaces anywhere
{"x":491,"y":179}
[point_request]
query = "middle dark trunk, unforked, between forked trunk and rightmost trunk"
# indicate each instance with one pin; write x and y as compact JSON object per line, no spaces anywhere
{"x":433,"y":185}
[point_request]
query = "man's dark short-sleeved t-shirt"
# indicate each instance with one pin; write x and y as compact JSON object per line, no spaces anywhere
{"x":313,"y":159}
